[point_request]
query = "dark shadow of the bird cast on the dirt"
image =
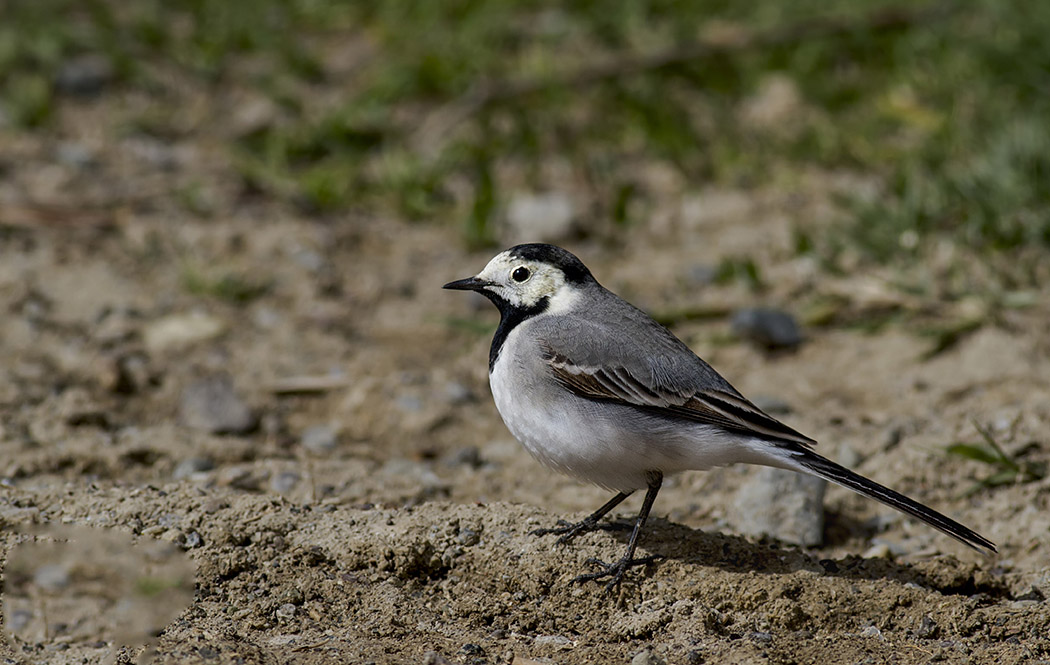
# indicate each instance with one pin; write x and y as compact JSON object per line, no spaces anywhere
{"x":737,"y":554}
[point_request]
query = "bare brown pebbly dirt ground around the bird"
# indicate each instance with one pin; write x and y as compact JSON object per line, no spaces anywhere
{"x":401,"y":534}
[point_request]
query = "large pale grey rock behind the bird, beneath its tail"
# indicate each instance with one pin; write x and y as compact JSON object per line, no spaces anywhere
{"x":784,"y":505}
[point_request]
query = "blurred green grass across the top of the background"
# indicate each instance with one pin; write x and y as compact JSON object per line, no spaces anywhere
{"x":953,"y":113}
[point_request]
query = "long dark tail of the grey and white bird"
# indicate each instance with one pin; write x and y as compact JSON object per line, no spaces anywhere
{"x":841,"y":475}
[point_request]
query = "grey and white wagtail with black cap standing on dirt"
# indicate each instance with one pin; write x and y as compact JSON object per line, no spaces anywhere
{"x":598,"y":390}
